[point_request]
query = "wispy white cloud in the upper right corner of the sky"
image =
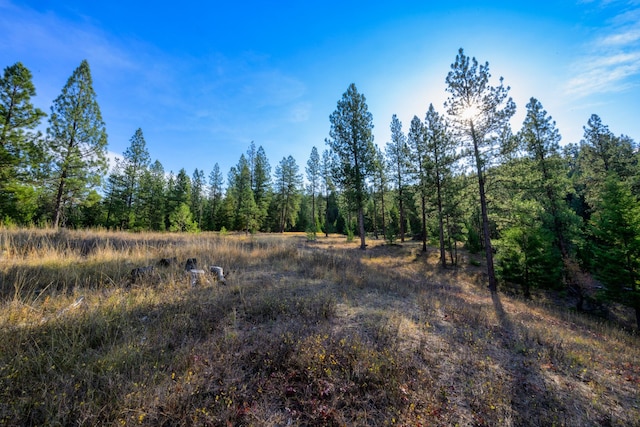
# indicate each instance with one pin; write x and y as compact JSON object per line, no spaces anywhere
{"x":611,"y":62}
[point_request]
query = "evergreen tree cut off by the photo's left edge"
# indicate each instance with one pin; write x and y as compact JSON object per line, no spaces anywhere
{"x":20,"y":150}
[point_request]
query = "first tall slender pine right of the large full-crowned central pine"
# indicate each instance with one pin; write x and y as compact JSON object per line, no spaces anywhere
{"x":399,"y":156}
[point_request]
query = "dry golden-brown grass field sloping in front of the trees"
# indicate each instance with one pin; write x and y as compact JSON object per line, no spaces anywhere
{"x":303,"y":333}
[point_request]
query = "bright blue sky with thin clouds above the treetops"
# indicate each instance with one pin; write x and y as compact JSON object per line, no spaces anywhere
{"x":204,"y":79}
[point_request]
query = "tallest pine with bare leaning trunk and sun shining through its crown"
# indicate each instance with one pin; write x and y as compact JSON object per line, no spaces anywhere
{"x":478,"y":112}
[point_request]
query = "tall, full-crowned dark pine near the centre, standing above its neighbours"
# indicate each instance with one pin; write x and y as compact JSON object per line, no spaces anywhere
{"x":352,"y":142}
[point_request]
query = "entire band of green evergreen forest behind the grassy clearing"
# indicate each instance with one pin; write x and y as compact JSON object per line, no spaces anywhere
{"x":545,"y":215}
